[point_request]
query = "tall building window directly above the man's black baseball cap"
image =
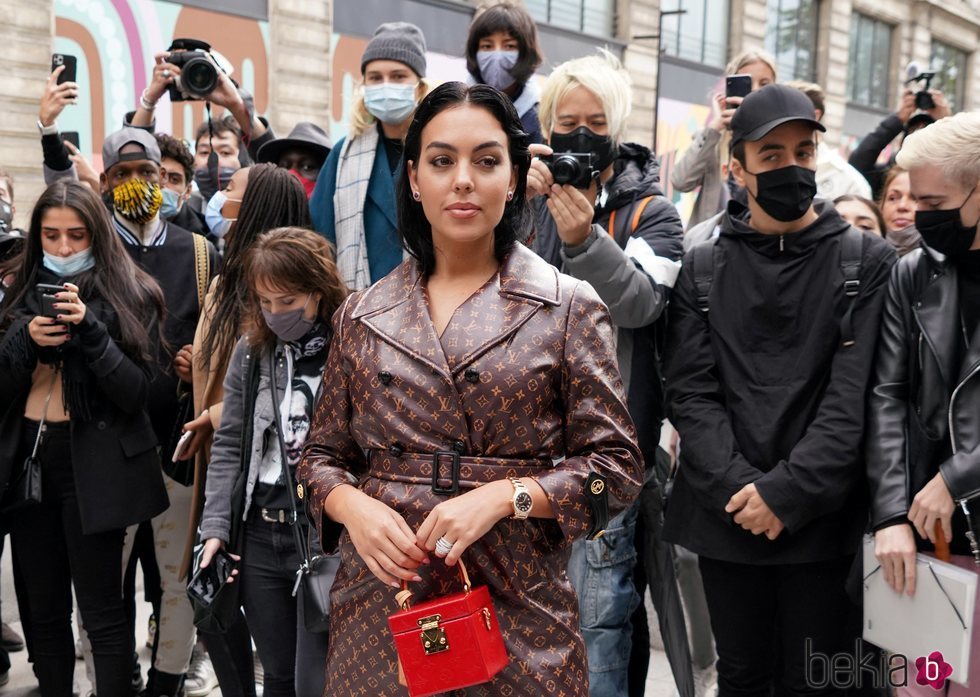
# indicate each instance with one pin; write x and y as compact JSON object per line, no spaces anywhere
{"x":791,"y":36}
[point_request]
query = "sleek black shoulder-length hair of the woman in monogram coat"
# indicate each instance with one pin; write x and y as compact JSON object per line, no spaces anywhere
{"x":514,"y":226}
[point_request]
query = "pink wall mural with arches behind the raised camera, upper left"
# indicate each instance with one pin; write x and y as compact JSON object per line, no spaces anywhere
{"x":115,"y":40}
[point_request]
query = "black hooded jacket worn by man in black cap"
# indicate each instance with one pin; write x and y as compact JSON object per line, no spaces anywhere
{"x":761,"y":390}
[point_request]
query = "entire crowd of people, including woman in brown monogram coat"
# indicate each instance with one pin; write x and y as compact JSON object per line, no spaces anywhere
{"x":475,"y":333}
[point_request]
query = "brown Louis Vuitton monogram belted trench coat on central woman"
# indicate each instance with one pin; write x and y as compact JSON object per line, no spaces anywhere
{"x":523,"y":382}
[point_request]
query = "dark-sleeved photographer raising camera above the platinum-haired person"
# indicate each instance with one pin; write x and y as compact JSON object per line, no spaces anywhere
{"x":916,"y":109}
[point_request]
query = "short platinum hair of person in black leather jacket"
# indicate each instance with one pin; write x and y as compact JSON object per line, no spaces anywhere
{"x":952,"y":144}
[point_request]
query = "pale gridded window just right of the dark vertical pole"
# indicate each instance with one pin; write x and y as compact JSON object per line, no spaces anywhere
{"x":700,"y":34}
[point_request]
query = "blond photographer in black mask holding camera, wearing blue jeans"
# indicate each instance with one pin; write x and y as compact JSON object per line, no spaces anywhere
{"x":600,"y":216}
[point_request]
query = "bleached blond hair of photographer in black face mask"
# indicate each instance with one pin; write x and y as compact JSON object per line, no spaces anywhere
{"x":601,"y":74}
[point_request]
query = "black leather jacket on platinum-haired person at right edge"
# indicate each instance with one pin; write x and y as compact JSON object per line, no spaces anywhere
{"x":925,"y":400}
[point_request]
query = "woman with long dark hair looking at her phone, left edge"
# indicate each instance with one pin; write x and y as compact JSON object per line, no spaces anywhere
{"x":83,"y":375}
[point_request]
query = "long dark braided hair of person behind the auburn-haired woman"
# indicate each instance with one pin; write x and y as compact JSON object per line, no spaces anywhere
{"x":273,"y":198}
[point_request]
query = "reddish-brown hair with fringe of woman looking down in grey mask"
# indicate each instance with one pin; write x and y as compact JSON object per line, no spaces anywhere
{"x":294,"y":260}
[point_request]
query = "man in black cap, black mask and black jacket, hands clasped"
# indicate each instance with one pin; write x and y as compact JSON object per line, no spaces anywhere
{"x":772,"y":330}
